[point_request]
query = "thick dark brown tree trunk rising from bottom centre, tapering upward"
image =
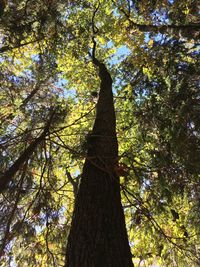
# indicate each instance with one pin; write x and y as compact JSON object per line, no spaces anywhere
{"x":98,"y":236}
